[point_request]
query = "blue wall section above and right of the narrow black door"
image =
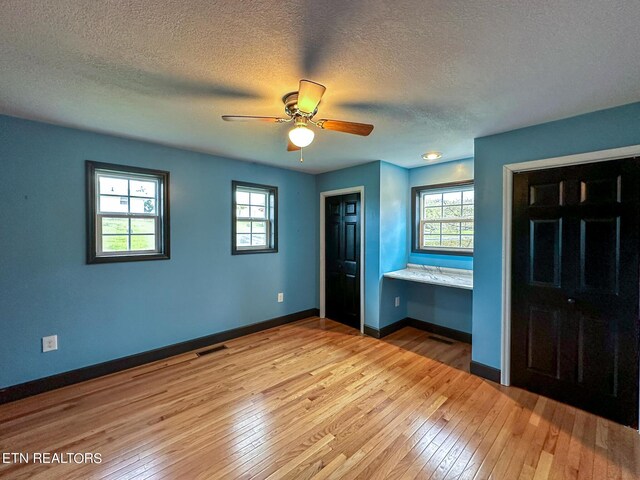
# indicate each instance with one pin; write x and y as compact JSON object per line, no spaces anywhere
{"x":367,"y":175}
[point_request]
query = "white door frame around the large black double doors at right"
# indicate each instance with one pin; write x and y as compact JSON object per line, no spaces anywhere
{"x":508,"y":171}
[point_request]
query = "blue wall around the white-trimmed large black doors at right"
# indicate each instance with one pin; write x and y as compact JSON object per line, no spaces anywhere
{"x":611,"y":128}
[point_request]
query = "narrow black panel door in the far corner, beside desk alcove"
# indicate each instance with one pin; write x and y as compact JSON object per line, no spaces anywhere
{"x":342,"y":259}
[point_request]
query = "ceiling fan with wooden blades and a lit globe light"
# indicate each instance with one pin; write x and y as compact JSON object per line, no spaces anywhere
{"x":301,"y":107}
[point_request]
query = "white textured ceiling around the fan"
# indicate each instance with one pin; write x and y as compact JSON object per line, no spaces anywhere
{"x":430,"y":75}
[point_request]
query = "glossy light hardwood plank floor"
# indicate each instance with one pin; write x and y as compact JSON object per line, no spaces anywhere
{"x":314,"y":399}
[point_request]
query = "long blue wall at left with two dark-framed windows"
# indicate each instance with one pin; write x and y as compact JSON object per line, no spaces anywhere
{"x":101,"y":312}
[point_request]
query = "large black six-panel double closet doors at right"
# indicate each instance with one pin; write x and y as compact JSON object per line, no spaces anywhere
{"x":575,"y":286}
